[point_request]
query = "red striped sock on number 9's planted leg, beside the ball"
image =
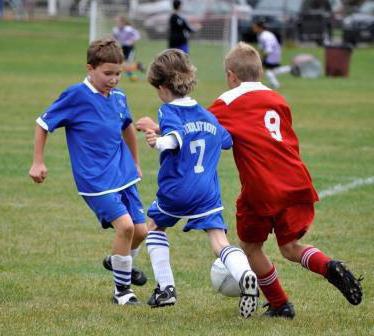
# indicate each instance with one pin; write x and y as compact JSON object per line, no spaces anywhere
{"x":272,"y":289}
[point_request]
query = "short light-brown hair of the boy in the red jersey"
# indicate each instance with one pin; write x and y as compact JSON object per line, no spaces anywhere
{"x":245,"y":62}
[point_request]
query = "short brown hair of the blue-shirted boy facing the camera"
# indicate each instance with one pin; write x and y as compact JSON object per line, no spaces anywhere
{"x":105,"y":50}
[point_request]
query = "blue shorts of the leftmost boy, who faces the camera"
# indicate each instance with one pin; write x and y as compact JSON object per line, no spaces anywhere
{"x":111,"y":206}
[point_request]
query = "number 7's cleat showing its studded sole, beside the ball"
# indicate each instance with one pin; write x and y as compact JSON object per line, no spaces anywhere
{"x":249,"y":294}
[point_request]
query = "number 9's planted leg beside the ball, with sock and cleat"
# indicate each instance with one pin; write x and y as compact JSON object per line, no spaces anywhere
{"x":268,"y":281}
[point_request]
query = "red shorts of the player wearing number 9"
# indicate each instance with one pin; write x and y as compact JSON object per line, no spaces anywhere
{"x":288,"y":225}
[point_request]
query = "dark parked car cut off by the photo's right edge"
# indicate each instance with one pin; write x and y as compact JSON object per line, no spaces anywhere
{"x":359,"y":26}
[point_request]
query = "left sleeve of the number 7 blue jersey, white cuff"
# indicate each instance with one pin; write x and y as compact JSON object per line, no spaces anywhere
{"x":170,"y":123}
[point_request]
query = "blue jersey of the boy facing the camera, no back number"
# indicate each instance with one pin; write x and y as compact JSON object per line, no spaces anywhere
{"x":100,"y":159}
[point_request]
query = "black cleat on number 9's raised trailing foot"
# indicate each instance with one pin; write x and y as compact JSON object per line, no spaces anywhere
{"x":343,"y":279}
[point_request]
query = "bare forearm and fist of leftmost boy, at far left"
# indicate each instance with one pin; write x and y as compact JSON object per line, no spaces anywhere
{"x":38,"y":171}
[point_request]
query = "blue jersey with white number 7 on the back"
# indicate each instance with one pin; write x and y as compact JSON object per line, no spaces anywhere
{"x":188,"y":180}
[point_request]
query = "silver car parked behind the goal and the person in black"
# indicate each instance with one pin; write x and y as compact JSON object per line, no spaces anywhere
{"x":206,"y":17}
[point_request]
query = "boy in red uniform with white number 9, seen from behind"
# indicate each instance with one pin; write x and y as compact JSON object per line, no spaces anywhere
{"x":277,"y":193}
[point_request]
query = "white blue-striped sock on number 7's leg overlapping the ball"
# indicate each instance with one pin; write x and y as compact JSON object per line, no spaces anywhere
{"x":235,"y":261}
